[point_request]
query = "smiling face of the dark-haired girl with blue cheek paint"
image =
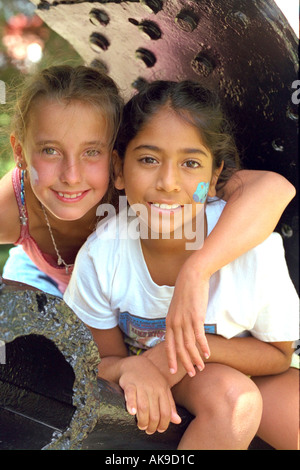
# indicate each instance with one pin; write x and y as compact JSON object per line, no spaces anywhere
{"x":165,"y":167}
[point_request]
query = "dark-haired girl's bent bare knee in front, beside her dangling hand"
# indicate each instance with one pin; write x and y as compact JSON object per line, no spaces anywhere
{"x":227,"y":407}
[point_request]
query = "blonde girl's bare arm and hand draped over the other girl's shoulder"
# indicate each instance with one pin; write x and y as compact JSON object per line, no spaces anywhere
{"x":256,"y":201}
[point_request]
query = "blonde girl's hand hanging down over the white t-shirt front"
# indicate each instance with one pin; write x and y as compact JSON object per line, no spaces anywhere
{"x":185,"y":320}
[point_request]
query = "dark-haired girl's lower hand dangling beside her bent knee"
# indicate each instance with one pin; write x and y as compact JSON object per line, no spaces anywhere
{"x":147,"y":395}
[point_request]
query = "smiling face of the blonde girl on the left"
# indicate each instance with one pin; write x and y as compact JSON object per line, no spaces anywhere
{"x":67,"y":157}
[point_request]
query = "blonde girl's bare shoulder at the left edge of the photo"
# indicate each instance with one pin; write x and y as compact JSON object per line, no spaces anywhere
{"x":9,"y":212}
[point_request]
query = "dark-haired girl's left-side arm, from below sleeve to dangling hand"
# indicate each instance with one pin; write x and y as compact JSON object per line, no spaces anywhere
{"x":146,"y":390}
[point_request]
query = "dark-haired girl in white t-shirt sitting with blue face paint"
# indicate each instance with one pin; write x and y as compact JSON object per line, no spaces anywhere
{"x":173,"y":150}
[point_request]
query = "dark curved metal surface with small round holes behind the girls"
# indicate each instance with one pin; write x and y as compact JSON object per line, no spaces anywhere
{"x":245,"y":49}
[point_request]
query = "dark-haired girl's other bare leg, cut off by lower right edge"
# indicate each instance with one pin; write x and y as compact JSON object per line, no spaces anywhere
{"x":280,"y":419}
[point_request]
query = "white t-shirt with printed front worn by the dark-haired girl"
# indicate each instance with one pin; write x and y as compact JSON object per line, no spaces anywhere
{"x":111,"y":286}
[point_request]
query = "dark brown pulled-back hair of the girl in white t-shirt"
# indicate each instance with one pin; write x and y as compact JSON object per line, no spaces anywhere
{"x":198,"y":105}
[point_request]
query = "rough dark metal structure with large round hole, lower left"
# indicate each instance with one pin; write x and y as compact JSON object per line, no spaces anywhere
{"x":50,"y":396}
